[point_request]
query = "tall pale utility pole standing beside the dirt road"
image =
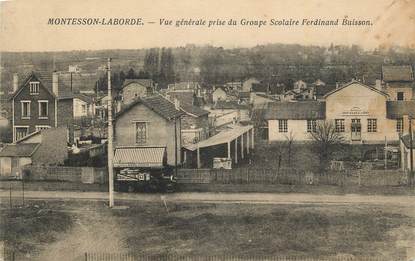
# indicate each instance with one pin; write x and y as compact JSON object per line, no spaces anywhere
{"x":110,"y":134}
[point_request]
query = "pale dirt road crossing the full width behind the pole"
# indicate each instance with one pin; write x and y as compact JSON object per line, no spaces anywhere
{"x":208,"y":197}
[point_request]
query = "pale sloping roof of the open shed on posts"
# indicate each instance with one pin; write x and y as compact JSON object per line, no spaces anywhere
{"x":222,"y":137}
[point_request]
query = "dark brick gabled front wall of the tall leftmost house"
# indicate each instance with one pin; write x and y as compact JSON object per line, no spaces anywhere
{"x":34,"y":108}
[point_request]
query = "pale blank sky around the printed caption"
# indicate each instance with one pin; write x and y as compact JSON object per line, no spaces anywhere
{"x":24,"y":23}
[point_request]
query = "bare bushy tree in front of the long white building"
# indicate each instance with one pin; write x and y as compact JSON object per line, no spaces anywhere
{"x":326,"y":140}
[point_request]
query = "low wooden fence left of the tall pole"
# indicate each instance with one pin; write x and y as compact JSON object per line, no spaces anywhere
{"x":87,"y":175}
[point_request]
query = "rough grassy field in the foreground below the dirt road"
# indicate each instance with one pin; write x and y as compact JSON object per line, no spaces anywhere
{"x":66,"y":230}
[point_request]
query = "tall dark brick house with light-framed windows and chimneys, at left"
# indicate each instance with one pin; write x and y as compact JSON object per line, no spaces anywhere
{"x":38,"y":103}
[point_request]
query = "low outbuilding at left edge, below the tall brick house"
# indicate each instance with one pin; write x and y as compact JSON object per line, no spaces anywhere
{"x":43,"y":147}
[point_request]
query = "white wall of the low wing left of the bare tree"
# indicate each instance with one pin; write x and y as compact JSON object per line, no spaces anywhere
{"x":298,"y":128}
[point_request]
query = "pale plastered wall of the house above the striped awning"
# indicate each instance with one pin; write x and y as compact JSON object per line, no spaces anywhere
{"x":160,"y":132}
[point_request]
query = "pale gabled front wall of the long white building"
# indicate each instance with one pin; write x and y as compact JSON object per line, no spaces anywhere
{"x":374,"y":103}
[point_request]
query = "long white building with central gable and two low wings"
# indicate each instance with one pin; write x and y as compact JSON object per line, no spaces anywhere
{"x":362,"y":113}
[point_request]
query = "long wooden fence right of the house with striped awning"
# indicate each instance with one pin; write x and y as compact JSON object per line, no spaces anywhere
{"x":291,"y":177}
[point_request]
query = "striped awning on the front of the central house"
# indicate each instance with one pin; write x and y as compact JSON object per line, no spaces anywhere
{"x":135,"y":157}
